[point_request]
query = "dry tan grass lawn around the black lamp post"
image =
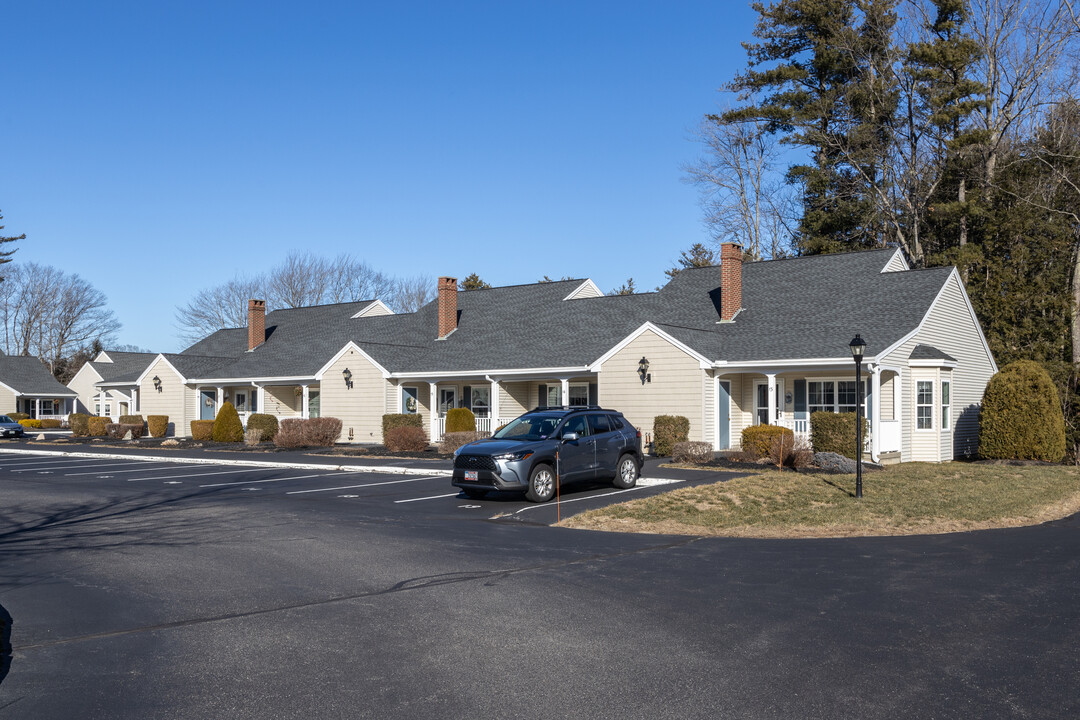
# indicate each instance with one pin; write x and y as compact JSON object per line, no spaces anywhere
{"x":909,"y":499}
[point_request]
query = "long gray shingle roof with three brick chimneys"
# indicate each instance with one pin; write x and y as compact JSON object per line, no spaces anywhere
{"x":793,"y":309}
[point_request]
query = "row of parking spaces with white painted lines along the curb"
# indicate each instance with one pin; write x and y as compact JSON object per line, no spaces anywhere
{"x":394,"y":491}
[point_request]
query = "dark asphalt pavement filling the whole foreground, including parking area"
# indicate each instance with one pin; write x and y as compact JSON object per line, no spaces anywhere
{"x":132,"y":599}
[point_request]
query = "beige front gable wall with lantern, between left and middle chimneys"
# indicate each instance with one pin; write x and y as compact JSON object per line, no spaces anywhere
{"x":361,"y":407}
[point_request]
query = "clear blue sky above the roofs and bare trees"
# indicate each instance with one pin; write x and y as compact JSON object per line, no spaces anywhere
{"x":157,"y":148}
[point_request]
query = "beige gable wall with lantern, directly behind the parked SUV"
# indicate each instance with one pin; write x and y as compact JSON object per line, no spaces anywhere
{"x":678,"y":388}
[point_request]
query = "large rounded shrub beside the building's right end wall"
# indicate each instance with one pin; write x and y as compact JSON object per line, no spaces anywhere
{"x":1021,"y":418}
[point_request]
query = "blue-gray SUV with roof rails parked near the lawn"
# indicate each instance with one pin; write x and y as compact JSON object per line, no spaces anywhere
{"x":549,"y":447}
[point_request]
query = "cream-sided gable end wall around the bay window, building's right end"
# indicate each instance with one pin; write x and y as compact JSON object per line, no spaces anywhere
{"x":950,"y":328}
